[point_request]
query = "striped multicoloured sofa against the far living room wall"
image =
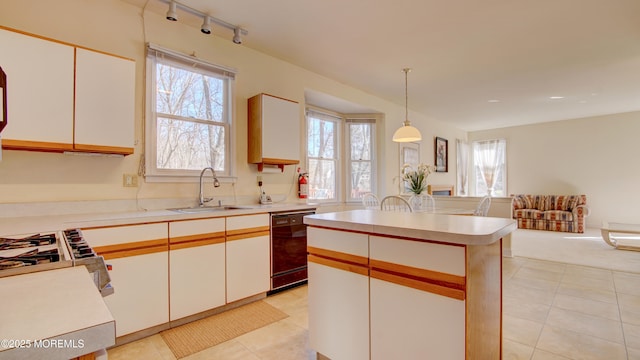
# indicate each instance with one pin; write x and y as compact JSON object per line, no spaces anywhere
{"x":550,"y":212}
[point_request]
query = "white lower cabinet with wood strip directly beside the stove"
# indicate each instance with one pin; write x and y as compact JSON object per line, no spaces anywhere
{"x":139,"y":258}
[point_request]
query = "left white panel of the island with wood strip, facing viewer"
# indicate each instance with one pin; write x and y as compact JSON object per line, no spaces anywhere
{"x":338,"y":293}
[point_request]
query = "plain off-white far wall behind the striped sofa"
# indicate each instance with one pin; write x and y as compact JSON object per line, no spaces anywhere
{"x":596,"y":156}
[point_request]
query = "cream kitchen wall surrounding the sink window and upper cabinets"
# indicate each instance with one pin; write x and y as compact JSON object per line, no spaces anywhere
{"x":119,"y":28}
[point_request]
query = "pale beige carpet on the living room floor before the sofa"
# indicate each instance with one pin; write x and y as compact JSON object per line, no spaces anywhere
{"x":588,"y":249}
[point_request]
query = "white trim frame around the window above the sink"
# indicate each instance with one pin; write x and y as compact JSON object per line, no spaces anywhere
{"x":151,"y":173}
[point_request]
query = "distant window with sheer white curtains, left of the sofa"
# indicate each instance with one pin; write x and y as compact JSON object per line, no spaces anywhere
{"x":490,"y":167}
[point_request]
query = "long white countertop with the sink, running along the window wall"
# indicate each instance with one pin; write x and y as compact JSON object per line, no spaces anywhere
{"x":34,"y":224}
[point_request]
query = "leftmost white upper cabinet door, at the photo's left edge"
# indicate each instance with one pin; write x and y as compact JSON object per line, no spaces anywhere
{"x":40,"y":90}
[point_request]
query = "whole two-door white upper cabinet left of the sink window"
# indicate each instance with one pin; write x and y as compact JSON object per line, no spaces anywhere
{"x":66,"y":98}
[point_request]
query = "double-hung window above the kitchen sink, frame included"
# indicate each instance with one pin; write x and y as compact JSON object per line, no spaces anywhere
{"x":190,"y":124}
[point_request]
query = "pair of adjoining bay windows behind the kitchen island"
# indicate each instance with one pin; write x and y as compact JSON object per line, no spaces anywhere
{"x":324,"y":133}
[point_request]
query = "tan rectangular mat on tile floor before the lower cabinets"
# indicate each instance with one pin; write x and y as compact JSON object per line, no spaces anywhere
{"x":196,"y":336}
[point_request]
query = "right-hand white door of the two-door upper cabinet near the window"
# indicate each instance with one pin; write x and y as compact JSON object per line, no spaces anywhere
{"x":105,"y":101}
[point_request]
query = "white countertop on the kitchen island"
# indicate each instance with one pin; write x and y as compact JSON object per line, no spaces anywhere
{"x":454,"y":229}
